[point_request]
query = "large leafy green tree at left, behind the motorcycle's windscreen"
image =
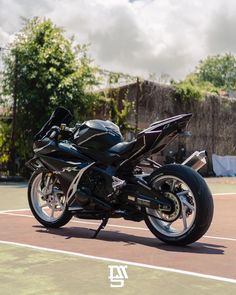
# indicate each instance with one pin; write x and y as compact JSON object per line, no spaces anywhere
{"x":43,"y":69}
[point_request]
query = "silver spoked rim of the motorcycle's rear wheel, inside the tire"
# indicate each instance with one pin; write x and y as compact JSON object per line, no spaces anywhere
{"x":188,"y":208}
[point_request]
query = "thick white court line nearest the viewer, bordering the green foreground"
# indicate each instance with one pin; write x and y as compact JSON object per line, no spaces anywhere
{"x":167,"y":269}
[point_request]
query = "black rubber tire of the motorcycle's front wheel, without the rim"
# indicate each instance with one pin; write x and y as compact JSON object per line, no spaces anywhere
{"x":61,"y":221}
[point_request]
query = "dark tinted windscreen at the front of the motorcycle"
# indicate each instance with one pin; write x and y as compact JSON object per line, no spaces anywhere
{"x":58,"y":117}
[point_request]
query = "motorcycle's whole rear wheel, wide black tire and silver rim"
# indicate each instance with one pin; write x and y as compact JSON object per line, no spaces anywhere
{"x":192,"y":209}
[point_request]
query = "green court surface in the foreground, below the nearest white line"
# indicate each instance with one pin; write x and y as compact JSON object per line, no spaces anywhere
{"x":30,"y":271}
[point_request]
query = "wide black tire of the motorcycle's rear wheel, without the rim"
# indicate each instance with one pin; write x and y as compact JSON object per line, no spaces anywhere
{"x":203,"y":199}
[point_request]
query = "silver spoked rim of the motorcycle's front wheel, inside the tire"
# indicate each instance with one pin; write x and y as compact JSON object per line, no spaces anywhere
{"x":48,"y":202}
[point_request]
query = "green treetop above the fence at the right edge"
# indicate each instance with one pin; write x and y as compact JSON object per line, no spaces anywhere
{"x":220,"y":70}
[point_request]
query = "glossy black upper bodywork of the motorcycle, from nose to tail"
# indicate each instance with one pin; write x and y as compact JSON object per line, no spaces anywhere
{"x":101,"y":141}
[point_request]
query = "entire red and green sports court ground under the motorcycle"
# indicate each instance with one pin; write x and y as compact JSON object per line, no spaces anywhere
{"x":59,"y":267}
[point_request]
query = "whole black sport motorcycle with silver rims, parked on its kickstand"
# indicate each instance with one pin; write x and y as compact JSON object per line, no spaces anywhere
{"x":90,"y":172}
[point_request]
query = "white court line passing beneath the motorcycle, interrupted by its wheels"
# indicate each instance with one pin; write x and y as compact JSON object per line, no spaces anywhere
{"x":119,"y":226}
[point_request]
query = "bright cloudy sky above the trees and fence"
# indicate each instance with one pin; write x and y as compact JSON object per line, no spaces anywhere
{"x":136,"y":36}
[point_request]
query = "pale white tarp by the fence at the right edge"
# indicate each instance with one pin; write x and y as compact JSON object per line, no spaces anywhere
{"x":224,"y":165}
